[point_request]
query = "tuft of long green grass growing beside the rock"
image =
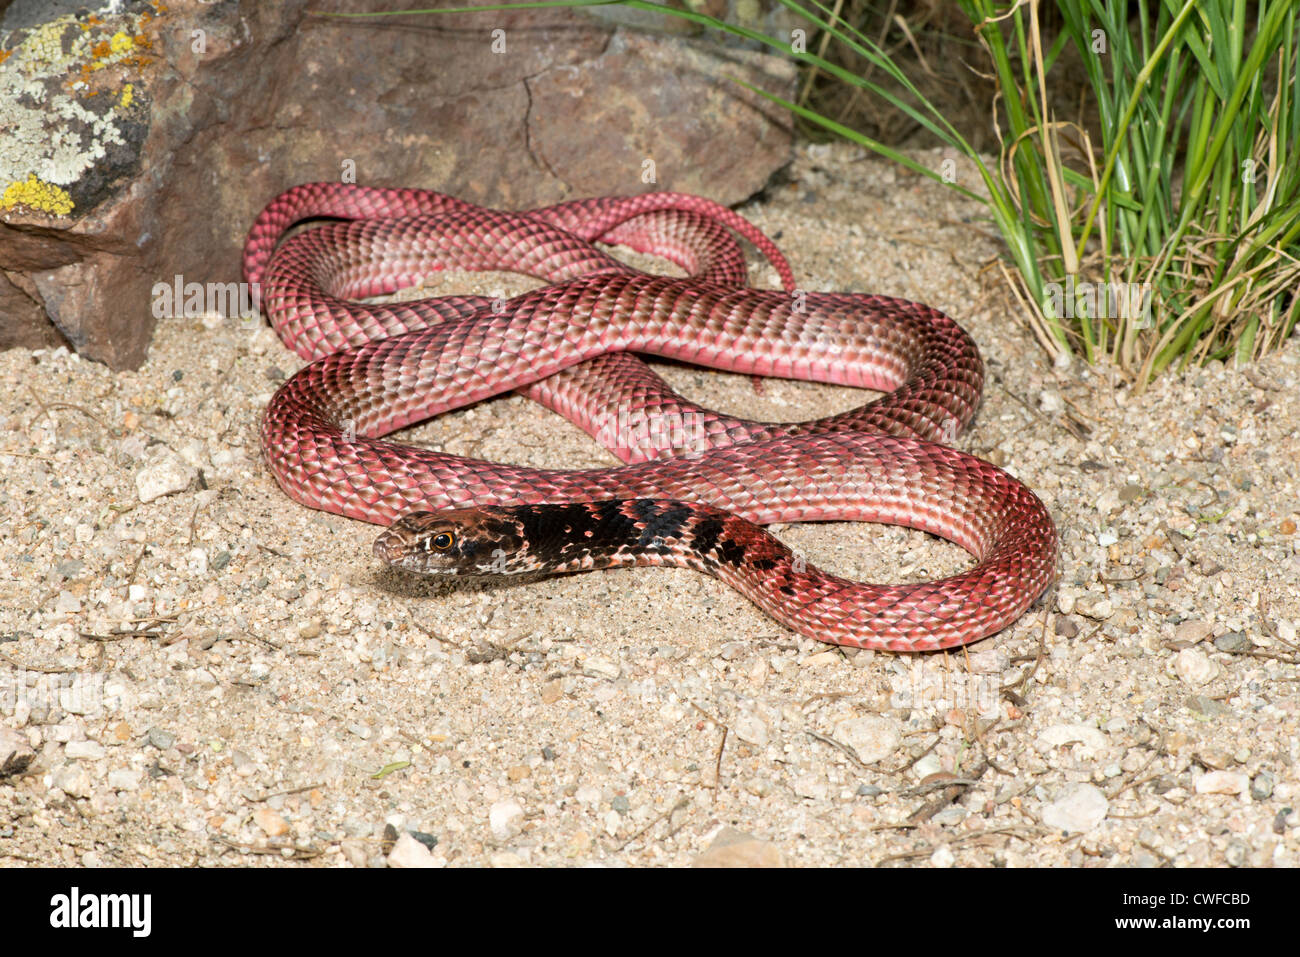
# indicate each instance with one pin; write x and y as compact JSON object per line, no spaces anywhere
{"x":1184,"y":197}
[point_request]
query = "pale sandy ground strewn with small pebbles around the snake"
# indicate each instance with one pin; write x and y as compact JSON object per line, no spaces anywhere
{"x":222,"y":677}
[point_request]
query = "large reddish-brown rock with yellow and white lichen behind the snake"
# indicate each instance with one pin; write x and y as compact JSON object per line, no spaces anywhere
{"x":148,"y":174}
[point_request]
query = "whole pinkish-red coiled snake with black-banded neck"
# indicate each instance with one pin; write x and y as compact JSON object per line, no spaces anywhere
{"x":696,"y":495}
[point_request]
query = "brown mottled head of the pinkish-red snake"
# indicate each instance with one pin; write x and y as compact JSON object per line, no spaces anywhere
{"x":461,"y":542}
